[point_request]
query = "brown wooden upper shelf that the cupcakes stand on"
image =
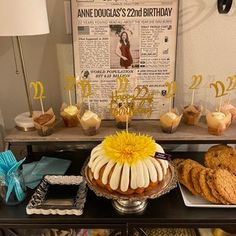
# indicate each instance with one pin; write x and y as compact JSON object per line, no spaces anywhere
{"x":184,"y":134}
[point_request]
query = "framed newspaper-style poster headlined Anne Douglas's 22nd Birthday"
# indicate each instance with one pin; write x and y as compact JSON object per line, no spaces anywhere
{"x":132,"y":39}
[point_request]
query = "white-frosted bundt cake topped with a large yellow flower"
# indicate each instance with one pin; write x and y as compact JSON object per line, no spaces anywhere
{"x":125,"y":163}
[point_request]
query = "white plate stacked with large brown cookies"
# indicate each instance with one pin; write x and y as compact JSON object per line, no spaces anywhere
{"x":212,"y":184}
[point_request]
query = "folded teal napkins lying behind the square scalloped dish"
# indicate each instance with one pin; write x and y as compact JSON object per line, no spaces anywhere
{"x":34,"y":172}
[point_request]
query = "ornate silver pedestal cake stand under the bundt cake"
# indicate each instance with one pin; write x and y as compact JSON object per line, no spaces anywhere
{"x":132,"y":203}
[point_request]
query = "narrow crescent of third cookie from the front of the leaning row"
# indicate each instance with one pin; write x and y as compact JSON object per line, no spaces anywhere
{"x":205,"y":190}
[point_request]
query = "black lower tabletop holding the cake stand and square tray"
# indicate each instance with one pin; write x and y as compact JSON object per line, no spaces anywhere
{"x":166,"y":211}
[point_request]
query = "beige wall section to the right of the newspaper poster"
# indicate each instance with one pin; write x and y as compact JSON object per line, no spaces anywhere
{"x":207,"y":46}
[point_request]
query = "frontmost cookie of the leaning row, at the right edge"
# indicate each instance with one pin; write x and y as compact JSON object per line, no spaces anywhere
{"x":225,"y":184}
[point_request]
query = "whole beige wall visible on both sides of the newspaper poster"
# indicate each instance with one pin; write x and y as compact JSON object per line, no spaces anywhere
{"x":206,"y":45}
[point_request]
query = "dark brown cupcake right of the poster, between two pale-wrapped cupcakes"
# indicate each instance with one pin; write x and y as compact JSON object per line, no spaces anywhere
{"x":192,"y":114}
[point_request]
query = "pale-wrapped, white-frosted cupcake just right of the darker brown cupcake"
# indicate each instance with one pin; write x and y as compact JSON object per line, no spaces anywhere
{"x":218,"y":122}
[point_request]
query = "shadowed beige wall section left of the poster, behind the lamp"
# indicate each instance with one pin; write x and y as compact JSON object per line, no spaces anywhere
{"x":47,"y":58}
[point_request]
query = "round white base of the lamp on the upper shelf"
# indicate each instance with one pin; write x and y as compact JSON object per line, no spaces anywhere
{"x":24,"y":122}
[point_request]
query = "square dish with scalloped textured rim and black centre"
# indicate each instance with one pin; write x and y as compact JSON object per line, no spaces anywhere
{"x":58,"y":195}
